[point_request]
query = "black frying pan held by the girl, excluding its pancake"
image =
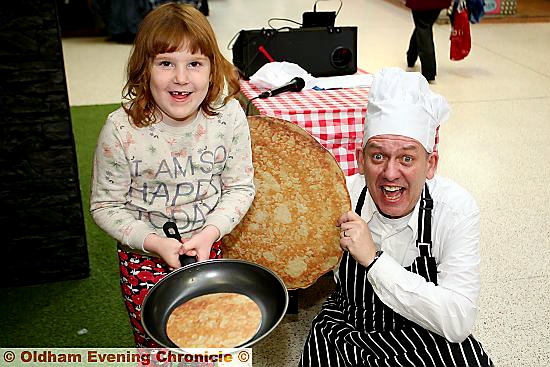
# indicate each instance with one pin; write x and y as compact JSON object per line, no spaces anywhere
{"x":196,"y":279}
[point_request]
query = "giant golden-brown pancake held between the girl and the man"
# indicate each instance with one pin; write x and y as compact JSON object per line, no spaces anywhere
{"x":300,"y":193}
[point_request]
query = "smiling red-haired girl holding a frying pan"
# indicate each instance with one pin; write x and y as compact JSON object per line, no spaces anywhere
{"x":177,"y":150}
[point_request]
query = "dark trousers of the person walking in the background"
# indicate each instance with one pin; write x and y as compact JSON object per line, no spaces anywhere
{"x":421,"y":44}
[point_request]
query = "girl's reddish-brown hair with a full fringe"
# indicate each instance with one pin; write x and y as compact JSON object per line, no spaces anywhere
{"x":169,"y":28}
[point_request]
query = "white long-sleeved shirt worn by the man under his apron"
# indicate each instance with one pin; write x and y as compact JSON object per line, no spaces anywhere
{"x":448,"y":309}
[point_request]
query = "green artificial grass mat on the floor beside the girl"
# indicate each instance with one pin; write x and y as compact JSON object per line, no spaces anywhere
{"x":81,"y":313}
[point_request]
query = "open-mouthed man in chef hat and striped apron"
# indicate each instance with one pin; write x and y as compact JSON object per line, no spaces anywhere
{"x":408,"y":283}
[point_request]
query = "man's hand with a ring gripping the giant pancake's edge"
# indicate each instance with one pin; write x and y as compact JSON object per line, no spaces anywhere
{"x":356,"y":238}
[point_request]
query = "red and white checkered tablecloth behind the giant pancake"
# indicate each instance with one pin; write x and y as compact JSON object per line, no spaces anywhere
{"x":334,"y":117}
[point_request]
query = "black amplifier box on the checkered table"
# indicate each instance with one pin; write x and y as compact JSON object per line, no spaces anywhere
{"x":321,"y":51}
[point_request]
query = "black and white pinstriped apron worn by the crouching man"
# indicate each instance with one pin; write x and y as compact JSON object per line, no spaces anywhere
{"x":354,"y":328}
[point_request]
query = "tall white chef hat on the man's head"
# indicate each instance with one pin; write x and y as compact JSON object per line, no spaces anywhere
{"x":401,"y":103}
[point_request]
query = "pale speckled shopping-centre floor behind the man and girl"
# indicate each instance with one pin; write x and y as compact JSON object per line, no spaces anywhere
{"x":496,"y":144}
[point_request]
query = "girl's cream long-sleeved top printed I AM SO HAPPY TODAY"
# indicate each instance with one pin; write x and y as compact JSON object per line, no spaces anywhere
{"x":195,"y":175}
